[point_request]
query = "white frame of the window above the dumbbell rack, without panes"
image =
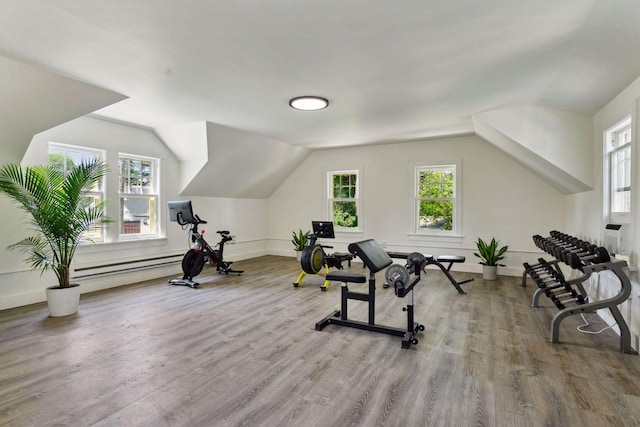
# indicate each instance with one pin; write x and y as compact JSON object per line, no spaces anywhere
{"x":613,"y":145}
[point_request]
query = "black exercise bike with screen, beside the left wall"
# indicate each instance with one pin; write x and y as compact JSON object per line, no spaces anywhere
{"x":201,"y":252}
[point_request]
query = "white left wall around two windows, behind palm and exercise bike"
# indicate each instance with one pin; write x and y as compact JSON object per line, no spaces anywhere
{"x":244,"y":218}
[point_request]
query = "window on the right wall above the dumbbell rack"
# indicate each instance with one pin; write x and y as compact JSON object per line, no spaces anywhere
{"x":618,"y":172}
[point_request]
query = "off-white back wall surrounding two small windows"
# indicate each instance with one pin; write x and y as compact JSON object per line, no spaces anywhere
{"x":499,"y":198}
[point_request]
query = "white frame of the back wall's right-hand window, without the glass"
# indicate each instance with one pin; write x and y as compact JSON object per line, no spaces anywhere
{"x":456,"y":231}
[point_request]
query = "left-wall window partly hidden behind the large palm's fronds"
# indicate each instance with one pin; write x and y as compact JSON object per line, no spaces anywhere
{"x":65,"y":158}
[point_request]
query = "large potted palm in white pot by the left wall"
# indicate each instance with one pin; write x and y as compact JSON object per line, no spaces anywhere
{"x":60,"y":211}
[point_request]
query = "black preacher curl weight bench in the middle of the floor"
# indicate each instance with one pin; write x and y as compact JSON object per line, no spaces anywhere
{"x":375,"y":259}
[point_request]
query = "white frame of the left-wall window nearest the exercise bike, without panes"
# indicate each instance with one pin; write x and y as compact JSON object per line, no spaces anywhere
{"x":153,"y":198}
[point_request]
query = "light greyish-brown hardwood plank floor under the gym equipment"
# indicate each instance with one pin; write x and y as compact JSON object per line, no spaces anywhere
{"x":243,"y":351}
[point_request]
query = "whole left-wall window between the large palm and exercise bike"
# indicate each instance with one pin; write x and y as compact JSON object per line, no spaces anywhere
{"x":138,"y":195}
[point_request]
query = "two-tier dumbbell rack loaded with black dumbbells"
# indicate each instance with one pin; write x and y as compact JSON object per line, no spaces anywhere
{"x":570,"y":296}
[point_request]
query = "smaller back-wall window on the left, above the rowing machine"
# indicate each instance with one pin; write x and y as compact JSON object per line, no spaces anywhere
{"x":344,"y":199}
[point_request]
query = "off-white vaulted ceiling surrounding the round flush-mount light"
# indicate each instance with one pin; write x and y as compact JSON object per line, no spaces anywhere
{"x":392,"y":71}
